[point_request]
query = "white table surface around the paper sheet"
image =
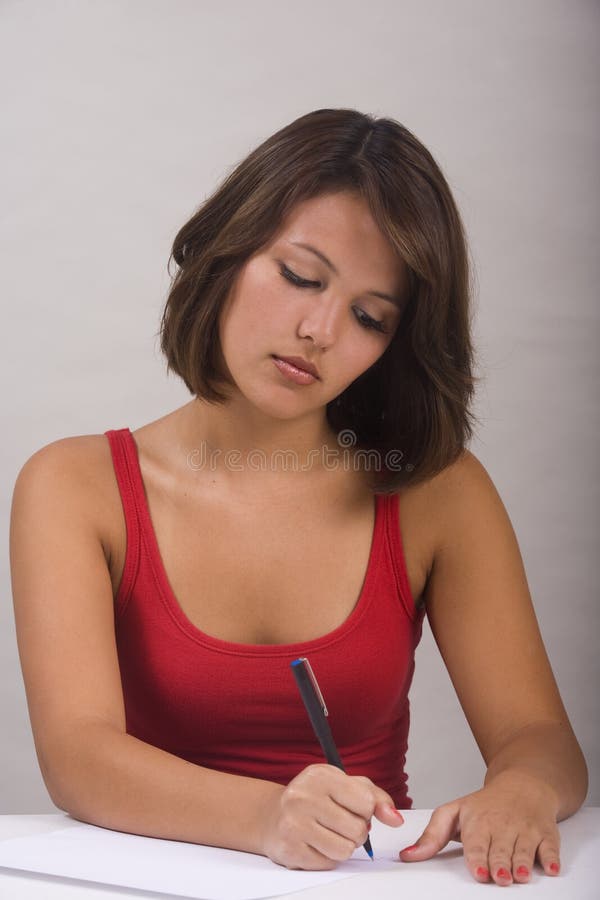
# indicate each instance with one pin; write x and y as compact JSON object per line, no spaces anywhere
{"x":579,"y":878}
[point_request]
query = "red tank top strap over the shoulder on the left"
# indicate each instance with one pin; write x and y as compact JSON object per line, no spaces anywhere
{"x":131,"y":489}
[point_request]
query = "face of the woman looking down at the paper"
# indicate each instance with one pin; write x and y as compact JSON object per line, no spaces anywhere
{"x":289,"y":302}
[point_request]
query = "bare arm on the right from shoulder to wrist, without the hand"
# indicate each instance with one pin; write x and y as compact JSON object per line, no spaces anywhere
{"x":482,"y":618}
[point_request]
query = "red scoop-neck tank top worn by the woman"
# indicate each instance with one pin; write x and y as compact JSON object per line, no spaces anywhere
{"x":236,"y":707}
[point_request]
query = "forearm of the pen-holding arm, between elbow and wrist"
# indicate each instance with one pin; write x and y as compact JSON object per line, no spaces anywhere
{"x":114,"y":780}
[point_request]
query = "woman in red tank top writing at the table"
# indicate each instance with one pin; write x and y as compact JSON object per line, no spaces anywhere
{"x":315,"y":498}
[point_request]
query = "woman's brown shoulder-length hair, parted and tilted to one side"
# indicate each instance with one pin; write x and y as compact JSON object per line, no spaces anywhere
{"x":409,"y":412}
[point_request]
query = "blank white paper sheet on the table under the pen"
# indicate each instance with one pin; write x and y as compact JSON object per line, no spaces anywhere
{"x":207,"y":873}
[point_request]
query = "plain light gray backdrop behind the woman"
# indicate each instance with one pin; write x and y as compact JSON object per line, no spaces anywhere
{"x":118,"y":118}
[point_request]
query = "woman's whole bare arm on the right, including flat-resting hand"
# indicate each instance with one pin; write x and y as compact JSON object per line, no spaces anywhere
{"x":482,"y":618}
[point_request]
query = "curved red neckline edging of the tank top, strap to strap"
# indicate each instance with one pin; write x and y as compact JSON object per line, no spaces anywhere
{"x":196,"y":634}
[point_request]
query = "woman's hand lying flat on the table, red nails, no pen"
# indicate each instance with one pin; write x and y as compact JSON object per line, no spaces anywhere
{"x":504,"y":828}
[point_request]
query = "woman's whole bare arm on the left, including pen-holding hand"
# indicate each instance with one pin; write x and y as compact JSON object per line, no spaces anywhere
{"x":92,"y":768}
